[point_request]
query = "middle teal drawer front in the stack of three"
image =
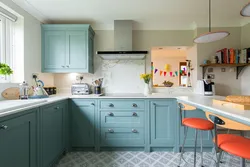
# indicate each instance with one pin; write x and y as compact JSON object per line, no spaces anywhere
{"x":122,"y":119}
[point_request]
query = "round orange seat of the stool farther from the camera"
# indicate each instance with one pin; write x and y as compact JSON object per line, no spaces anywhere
{"x":198,"y":123}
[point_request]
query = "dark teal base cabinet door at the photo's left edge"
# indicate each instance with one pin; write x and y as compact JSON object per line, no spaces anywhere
{"x":18,"y":141}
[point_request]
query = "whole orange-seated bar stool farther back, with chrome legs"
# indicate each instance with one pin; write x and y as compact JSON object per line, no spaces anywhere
{"x":198,"y":124}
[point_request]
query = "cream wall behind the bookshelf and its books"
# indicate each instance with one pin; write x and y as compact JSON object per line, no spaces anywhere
{"x":226,"y":82}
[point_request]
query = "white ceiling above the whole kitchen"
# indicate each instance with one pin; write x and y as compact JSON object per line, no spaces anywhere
{"x":147,"y":14}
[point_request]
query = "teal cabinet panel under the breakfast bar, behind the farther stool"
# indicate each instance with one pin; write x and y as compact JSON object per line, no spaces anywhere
{"x":206,"y":135}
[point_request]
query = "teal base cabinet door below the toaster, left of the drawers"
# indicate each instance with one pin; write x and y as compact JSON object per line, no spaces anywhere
{"x":82,"y":120}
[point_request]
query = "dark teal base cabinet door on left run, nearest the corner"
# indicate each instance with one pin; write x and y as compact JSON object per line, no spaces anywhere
{"x":53,"y":132}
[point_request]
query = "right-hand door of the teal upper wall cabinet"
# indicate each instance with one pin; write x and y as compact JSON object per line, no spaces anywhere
{"x":77,"y":50}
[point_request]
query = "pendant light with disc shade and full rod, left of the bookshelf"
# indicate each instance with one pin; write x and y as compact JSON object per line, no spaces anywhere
{"x":211,"y":36}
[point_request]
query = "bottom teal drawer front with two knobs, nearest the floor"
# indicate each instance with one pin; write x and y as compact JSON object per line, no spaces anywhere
{"x":119,"y":137}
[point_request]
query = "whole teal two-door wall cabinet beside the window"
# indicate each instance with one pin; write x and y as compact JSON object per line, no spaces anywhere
{"x":67,"y":48}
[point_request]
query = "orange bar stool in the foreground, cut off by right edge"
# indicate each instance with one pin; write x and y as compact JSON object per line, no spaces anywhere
{"x":233,"y":144}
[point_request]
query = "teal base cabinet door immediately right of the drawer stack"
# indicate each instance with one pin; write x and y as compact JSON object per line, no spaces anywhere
{"x":162,"y":121}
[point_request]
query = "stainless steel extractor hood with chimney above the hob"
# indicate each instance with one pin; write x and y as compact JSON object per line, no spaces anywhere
{"x":123,"y":32}
